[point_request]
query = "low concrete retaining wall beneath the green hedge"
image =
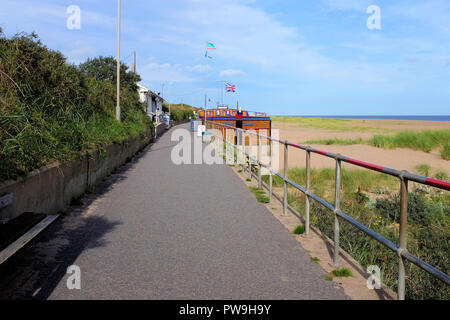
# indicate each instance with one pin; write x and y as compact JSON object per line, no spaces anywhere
{"x":51,"y":189}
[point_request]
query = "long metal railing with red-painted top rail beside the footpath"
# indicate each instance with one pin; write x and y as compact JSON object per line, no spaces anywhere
{"x":404,"y":177}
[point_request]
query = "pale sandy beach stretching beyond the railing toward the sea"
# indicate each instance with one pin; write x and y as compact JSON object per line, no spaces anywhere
{"x":399,"y":158}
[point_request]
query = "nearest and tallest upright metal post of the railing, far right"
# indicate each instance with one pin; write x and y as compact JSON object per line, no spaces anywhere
{"x":403,"y":236}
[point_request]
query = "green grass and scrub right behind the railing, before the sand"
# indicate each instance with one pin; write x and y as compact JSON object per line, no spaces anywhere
{"x":373,"y":200}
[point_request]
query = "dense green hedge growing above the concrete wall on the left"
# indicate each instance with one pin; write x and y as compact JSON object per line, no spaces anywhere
{"x":52,"y":110}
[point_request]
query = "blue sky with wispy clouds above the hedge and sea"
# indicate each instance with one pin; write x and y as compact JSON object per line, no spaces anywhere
{"x":285,"y":57}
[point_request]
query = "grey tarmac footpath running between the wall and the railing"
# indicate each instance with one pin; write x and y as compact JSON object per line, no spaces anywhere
{"x":161,"y":231}
